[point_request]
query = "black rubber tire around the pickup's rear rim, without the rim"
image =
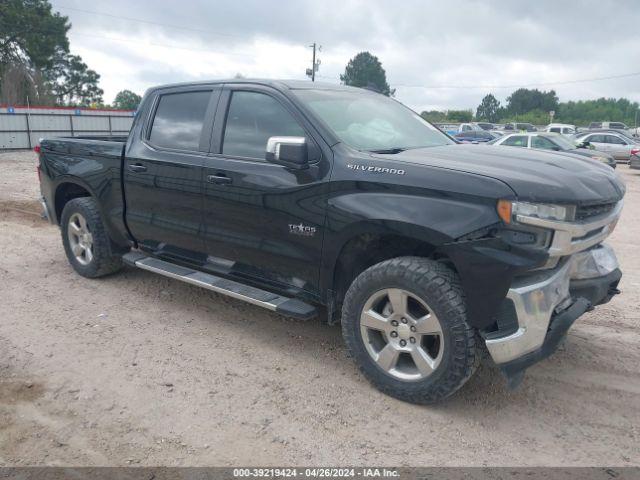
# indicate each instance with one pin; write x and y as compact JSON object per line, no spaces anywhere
{"x":103,"y":262}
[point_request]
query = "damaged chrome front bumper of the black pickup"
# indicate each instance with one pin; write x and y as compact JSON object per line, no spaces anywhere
{"x":536,"y":298}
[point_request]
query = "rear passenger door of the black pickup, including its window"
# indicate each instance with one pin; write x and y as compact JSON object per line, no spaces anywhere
{"x":163,"y":172}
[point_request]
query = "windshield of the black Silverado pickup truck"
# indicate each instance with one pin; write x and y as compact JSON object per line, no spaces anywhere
{"x":371,"y":122}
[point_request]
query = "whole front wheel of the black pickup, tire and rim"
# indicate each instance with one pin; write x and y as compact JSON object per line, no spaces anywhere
{"x":404,"y":323}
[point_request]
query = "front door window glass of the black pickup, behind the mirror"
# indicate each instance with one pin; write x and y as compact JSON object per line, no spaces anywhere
{"x":253,"y":118}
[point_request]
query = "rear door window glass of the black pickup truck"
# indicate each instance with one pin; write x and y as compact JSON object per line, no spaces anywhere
{"x":179,"y":120}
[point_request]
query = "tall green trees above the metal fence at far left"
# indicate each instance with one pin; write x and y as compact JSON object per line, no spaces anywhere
{"x":35,"y":60}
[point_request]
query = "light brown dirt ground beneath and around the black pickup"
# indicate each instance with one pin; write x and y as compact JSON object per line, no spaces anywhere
{"x":137,"y":369}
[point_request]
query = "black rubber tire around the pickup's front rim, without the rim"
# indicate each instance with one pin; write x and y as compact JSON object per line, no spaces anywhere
{"x":439,"y":287}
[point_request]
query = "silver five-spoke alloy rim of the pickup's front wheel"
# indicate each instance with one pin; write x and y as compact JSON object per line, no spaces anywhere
{"x":401,"y":334}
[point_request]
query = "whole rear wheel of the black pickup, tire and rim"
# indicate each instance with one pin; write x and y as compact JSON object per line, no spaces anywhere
{"x":85,"y":239}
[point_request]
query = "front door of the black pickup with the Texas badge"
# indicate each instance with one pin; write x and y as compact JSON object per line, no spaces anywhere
{"x":264,"y":222}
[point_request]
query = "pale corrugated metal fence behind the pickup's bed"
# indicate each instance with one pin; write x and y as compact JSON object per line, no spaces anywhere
{"x":24,"y":129}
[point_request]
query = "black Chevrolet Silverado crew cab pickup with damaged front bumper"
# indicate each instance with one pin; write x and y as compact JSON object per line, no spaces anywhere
{"x":311,"y":199}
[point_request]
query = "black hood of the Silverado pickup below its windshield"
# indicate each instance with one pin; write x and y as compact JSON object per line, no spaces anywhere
{"x":534,"y":175}
